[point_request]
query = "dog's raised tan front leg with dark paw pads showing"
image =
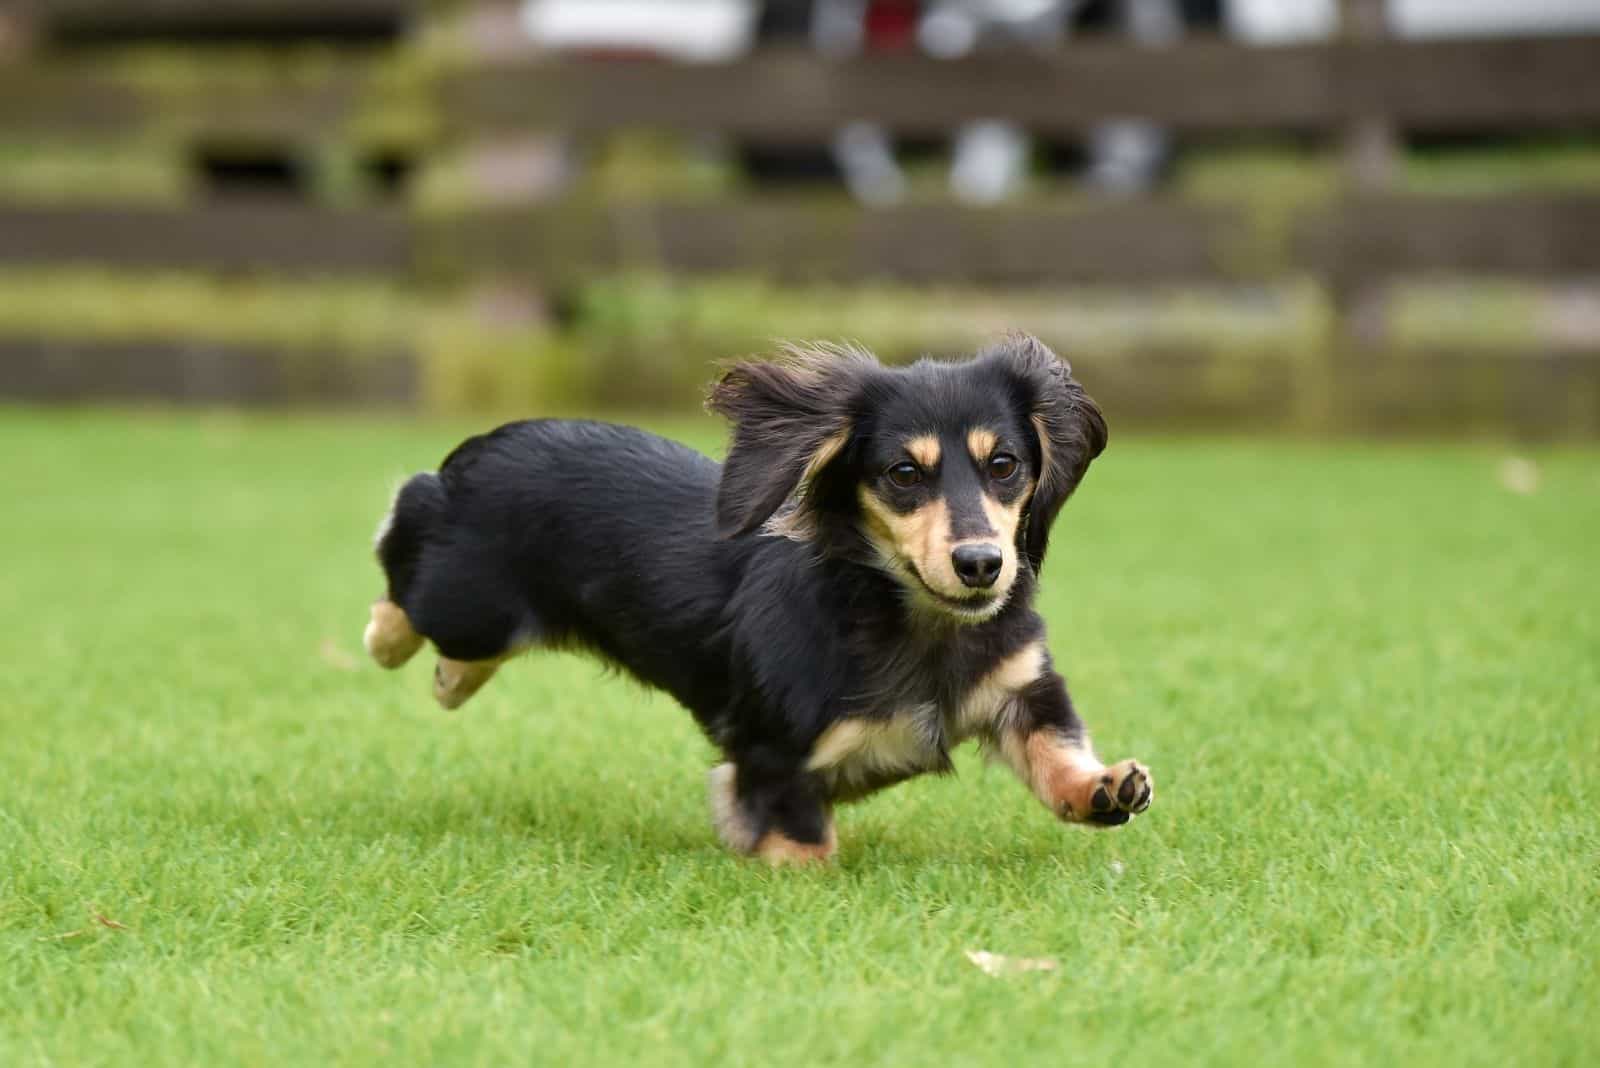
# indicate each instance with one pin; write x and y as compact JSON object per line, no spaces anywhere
{"x":1046,"y":743}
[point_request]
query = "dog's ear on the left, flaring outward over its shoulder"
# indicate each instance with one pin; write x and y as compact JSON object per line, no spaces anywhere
{"x":791,"y":420}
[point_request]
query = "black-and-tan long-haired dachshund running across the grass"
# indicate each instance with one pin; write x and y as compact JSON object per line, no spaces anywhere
{"x":841,"y":605}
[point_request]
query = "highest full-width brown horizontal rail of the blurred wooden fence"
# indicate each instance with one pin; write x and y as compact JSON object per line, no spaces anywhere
{"x":1206,"y":86}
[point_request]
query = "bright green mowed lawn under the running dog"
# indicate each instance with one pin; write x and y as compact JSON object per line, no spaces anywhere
{"x":1367,"y":679}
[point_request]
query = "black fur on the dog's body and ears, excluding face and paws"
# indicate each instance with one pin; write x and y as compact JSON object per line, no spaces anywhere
{"x":585,"y":535}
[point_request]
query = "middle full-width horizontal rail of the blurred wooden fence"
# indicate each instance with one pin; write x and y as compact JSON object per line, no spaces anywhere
{"x":1534,"y":236}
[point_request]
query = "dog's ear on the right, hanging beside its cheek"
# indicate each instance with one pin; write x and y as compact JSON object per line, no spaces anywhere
{"x":1068,"y":424}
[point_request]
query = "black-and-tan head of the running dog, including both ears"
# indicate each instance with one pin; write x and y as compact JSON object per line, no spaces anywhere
{"x":950,"y":472}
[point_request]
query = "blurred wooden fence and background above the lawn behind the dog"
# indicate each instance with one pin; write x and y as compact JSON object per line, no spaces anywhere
{"x":1281,"y":215}
